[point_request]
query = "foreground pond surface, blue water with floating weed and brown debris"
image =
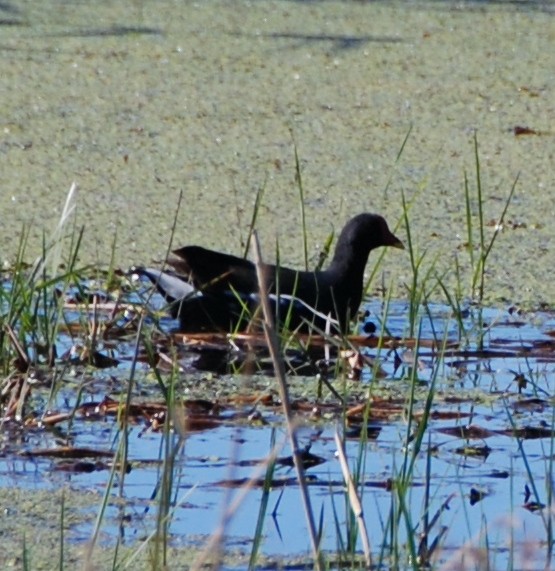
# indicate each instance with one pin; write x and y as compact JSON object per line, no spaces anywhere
{"x":485,"y":464}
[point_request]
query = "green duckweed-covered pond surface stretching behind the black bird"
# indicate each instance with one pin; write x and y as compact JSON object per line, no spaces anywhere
{"x":138,"y":100}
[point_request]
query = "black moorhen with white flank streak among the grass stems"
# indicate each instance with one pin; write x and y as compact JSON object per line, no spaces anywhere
{"x":211,"y":291}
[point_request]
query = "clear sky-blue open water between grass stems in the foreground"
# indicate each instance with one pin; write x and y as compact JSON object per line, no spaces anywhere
{"x":480,"y":387}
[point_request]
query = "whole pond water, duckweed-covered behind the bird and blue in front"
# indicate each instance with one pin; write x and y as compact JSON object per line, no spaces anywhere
{"x":140,"y":101}
